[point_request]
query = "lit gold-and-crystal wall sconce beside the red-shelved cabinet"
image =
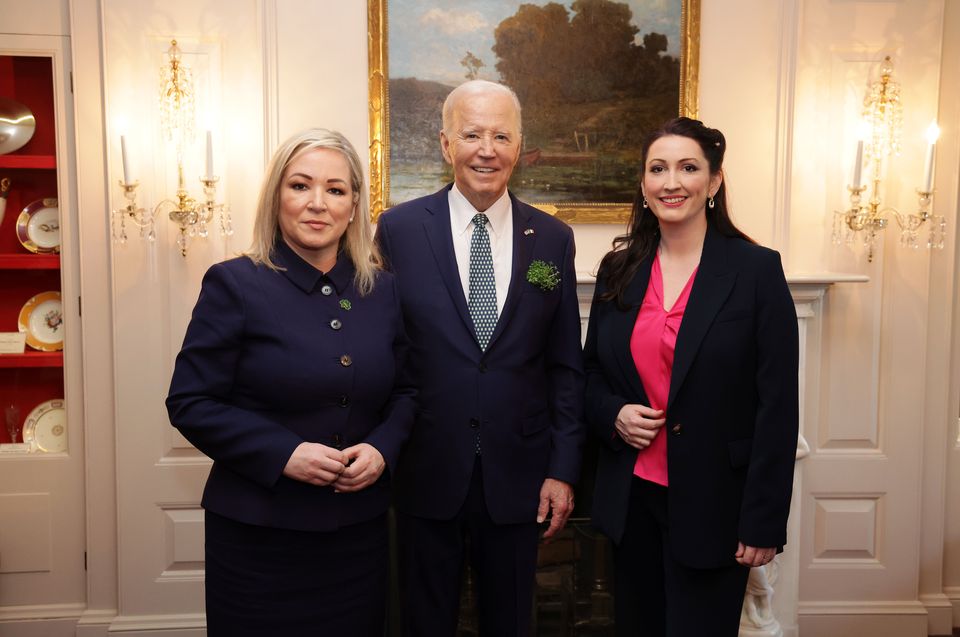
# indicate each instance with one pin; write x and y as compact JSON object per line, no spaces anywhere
{"x":177,"y":117}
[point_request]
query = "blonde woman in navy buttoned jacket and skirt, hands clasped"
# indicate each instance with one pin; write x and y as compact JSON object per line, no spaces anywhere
{"x":286,"y":380}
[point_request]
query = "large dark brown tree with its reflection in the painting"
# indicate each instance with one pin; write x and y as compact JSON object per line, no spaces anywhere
{"x":588,"y":90}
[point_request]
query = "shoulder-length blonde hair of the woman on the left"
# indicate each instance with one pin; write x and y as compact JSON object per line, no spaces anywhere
{"x":356,"y":243}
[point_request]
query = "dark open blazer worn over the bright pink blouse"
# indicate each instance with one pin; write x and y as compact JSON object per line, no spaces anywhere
{"x":732,"y":413}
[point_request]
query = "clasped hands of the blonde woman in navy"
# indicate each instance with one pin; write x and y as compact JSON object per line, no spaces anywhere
{"x":350,"y":469}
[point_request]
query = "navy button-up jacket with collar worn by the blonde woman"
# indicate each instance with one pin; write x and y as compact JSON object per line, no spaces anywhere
{"x":263,"y":368}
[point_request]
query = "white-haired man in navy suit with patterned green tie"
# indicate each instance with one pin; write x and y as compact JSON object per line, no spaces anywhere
{"x":488,"y":291}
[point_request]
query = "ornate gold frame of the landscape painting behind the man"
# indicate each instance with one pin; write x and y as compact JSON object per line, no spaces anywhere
{"x":572,"y":211}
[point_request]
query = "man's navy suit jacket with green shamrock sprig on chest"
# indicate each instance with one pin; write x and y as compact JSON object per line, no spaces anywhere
{"x":523,"y":394}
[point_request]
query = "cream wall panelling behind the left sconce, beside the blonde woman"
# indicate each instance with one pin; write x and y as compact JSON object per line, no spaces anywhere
{"x":159,"y":477}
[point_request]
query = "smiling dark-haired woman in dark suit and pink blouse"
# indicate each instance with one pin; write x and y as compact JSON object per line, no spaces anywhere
{"x":691,"y":359}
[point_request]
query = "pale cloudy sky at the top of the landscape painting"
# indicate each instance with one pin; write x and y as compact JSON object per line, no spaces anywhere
{"x":427,"y":39}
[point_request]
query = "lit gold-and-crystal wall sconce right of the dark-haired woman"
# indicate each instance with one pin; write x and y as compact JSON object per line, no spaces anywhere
{"x":883,"y":118}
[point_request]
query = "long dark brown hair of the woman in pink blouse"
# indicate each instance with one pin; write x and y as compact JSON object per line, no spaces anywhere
{"x":643,"y":232}
